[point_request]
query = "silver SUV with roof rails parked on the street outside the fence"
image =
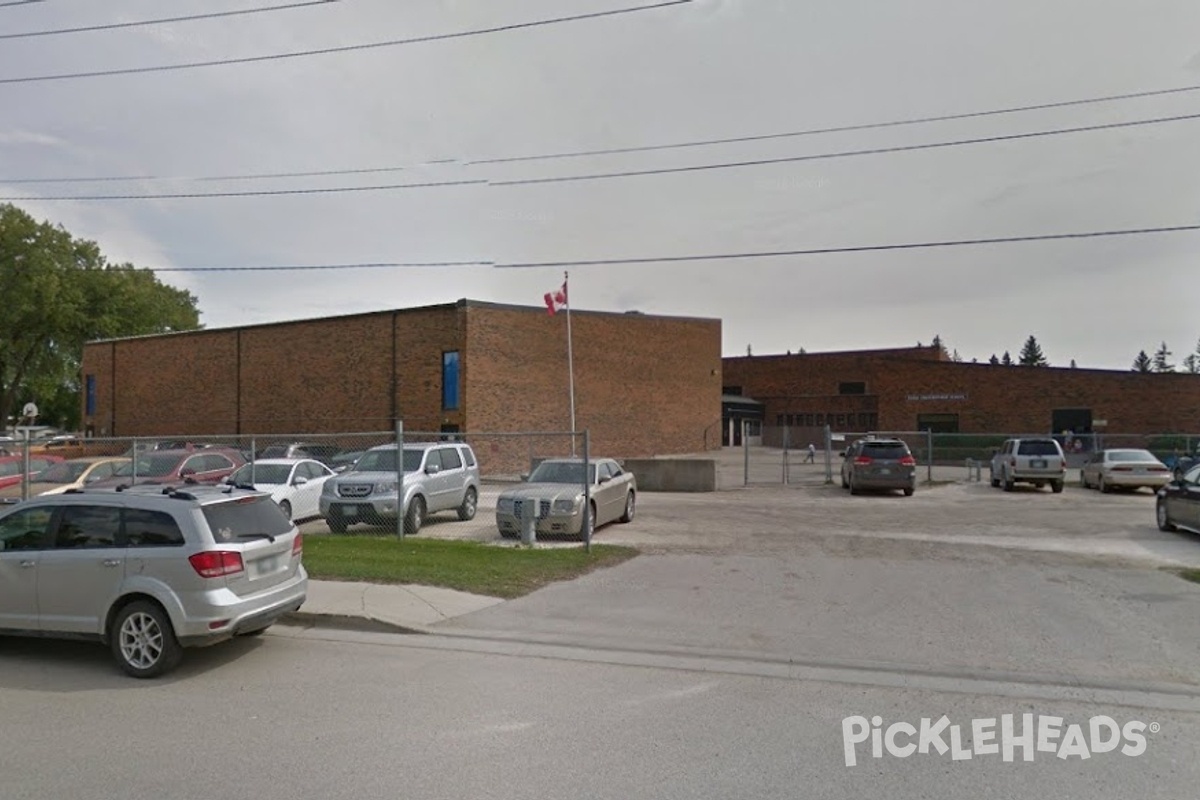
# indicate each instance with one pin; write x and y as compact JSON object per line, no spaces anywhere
{"x":151,"y":570}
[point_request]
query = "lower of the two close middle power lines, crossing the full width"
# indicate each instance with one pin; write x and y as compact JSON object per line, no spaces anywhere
{"x":663,"y":171}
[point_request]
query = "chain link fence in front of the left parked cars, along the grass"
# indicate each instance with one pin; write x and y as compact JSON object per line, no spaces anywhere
{"x":350,"y":483}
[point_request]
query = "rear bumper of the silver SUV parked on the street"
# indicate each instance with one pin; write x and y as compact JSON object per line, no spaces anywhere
{"x":225,"y":615}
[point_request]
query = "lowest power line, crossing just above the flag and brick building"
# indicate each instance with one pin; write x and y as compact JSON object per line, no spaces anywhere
{"x":676,"y":260}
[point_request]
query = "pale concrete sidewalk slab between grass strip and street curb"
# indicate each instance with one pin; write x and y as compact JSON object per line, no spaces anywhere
{"x":388,"y":607}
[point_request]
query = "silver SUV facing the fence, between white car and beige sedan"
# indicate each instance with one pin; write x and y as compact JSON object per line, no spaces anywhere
{"x":439,"y":477}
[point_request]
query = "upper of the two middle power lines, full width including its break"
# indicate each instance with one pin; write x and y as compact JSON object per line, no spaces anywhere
{"x":764,"y":137}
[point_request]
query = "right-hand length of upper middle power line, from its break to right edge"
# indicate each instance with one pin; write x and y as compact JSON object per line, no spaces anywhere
{"x":843,"y":129}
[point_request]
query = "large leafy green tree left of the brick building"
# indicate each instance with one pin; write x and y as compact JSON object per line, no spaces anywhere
{"x":59,"y":293}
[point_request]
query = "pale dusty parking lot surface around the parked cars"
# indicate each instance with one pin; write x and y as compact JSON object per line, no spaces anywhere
{"x":940,"y":520}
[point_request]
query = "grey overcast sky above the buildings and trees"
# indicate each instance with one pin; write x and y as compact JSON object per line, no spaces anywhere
{"x":710,"y":69}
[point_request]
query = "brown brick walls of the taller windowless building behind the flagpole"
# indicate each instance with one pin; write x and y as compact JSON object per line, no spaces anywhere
{"x":645,"y":386}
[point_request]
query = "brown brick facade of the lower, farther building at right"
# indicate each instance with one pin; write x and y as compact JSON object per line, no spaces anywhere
{"x":903,"y":386}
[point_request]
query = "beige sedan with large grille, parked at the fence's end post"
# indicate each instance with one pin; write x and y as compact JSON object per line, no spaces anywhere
{"x":556,"y":486}
